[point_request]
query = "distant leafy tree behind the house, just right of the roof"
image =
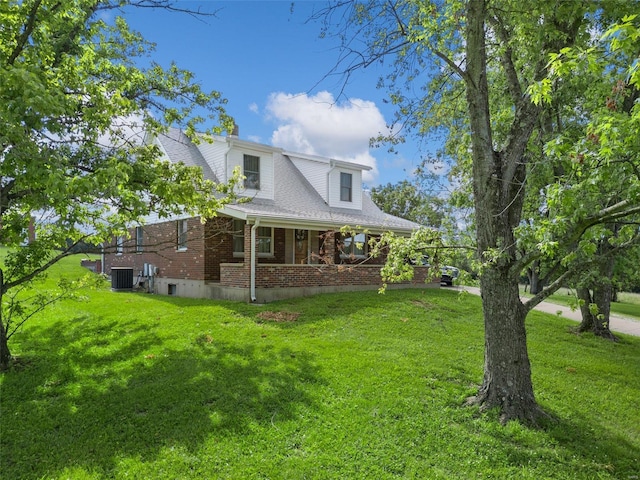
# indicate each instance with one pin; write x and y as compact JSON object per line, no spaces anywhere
{"x":404,"y":199}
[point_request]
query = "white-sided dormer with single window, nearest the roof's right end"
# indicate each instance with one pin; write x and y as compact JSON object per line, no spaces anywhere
{"x":338,"y":182}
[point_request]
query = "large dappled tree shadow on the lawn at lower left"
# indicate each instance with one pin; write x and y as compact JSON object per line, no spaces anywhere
{"x":92,"y":394}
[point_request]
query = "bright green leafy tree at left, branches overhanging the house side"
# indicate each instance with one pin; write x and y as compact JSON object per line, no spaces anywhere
{"x":74,"y":164}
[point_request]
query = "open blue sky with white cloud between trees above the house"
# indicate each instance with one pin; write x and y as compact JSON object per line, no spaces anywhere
{"x":270,"y":63}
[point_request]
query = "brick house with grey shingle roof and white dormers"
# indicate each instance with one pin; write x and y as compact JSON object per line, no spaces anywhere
{"x":284,"y":242}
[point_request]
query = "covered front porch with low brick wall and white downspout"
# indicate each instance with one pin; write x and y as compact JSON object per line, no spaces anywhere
{"x":302,"y":260}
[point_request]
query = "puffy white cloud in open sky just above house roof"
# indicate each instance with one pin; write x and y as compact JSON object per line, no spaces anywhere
{"x":318,"y":125}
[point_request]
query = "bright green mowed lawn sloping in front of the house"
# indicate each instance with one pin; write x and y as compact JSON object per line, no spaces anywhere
{"x":344,"y":386}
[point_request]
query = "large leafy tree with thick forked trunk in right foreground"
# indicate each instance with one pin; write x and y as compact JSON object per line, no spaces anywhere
{"x":481,"y":70}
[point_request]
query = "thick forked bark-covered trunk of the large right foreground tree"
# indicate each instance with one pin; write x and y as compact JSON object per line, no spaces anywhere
{"x":498,"y":190}
